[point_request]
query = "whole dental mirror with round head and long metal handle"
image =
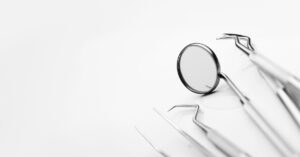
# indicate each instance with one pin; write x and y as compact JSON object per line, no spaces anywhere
{"x":199,"y":70}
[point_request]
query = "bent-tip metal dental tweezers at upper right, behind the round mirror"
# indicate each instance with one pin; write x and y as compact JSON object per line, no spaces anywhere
{"x":285,"y":85}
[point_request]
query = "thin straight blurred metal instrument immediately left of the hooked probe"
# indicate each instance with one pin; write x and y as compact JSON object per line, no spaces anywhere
{"x":202,"y":149}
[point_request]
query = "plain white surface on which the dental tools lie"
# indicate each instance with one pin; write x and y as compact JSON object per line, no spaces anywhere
{"x":76,"y":76}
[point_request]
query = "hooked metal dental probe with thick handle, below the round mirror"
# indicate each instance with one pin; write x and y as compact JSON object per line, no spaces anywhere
{"x":223,"y":144}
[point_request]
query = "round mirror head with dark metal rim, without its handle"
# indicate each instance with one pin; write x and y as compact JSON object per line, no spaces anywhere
{"x":198,"y":68}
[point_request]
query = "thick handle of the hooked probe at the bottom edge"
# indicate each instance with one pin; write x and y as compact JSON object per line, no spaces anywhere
{"x":226,"y":146}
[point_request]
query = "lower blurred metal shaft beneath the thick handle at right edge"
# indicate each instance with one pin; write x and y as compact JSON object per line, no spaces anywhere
{"x":277,"y":87}
